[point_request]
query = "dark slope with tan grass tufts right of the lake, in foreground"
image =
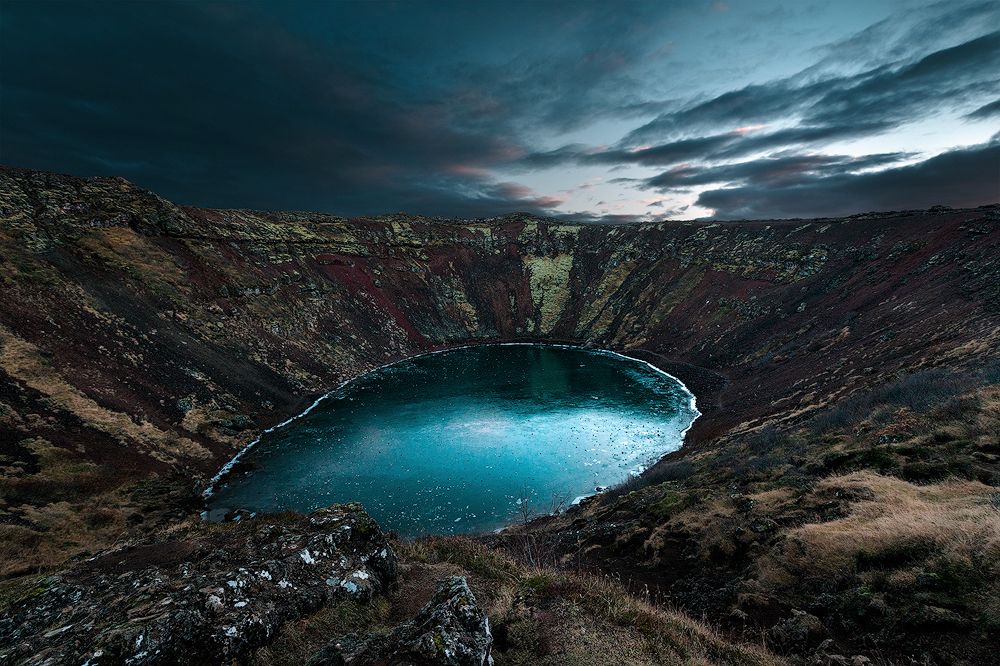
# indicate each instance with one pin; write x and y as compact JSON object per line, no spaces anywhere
{"x":879,"y":537}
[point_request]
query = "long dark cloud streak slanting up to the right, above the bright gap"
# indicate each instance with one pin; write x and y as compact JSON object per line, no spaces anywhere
{"x":833,"y":108}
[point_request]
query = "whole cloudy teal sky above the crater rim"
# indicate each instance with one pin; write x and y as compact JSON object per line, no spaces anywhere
{"x":593,"y":111}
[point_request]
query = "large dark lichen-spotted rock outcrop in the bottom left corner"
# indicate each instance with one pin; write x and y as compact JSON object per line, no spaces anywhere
{"x":205,"y":601}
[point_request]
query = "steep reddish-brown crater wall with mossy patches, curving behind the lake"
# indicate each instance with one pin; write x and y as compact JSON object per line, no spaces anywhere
{"x":139,"y":336}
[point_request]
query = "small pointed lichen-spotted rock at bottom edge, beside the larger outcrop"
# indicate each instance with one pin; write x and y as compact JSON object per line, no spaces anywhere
{"x":451,"y":630}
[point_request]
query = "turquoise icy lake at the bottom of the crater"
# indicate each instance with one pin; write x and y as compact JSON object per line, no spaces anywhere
{"x":467,"y":440}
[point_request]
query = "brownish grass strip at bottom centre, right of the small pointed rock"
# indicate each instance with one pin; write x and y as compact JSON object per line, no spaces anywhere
{"x":554,"y":616}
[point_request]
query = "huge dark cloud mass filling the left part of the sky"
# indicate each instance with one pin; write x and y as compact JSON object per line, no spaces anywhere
{"x":352,"y":107}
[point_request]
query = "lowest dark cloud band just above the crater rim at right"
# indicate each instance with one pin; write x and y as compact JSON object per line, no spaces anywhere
{"x":967,"y":177}
